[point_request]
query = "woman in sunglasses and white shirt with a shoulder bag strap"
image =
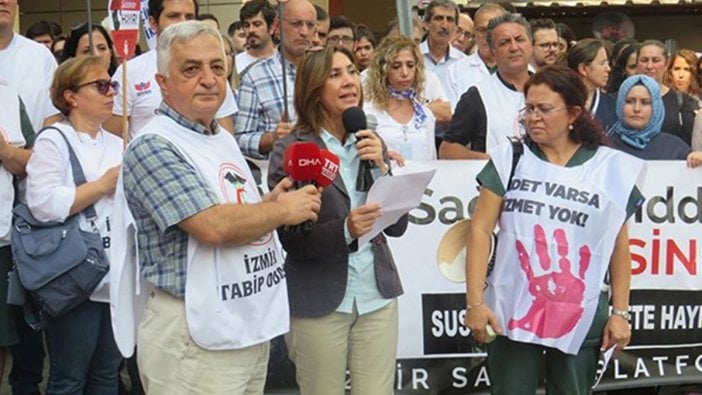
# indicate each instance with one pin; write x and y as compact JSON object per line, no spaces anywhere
{"x":82,"y":353}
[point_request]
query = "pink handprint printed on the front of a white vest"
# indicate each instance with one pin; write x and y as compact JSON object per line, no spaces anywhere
{"x":558,"y":296}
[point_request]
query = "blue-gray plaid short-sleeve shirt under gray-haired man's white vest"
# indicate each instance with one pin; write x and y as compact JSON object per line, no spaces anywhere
{"x":163,"y":189}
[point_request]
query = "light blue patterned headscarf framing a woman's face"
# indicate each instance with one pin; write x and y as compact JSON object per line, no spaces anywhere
{"x":639,"y":138}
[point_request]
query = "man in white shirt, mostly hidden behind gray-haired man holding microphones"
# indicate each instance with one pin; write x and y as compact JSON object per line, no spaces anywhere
{"x":143,"y":93}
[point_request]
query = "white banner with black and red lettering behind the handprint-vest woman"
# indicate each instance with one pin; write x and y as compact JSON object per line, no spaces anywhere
{"x":666,"y":304}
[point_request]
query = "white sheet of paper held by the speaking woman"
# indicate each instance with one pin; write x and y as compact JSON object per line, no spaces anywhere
{"x":397,"y":195}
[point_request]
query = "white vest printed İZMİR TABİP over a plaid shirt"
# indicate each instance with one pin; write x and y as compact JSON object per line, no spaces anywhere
{"x":235,"y":297}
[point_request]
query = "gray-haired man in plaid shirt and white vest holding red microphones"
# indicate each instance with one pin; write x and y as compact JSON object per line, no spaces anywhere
{"x":201,"y":222}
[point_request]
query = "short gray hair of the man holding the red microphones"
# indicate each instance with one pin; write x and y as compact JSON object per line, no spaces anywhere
{"x":180,"y":33}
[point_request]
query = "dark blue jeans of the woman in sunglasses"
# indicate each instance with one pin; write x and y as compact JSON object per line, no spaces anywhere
{"x":83,"y":356}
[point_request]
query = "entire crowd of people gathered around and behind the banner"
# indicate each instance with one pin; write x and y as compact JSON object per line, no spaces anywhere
{"x":206,"y":111}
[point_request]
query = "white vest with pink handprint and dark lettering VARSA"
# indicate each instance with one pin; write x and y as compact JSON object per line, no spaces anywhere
{"x":558,"y":228}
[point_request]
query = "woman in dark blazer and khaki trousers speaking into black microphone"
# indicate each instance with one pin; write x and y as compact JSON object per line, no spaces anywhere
{"x":342,"y":294}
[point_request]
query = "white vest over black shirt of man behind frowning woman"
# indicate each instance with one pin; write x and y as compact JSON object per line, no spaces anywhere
{"x":502,"y":107}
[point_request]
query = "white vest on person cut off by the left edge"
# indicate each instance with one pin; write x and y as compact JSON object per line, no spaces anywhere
{"x":11,"y":131}
